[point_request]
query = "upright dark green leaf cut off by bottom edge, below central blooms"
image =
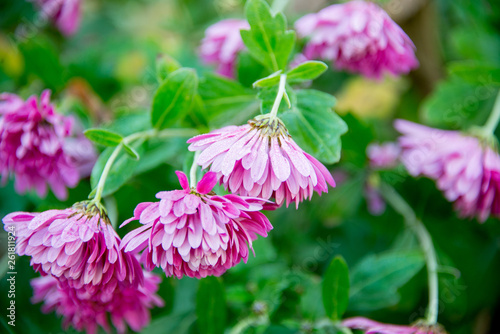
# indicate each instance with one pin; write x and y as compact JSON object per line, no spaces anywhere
{"x":211,"y":306}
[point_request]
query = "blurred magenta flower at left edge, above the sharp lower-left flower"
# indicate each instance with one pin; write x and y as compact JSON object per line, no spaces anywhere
{"x":34,"y":148}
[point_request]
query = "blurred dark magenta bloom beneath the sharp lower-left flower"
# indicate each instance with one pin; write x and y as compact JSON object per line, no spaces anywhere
{"x":129,"y":305}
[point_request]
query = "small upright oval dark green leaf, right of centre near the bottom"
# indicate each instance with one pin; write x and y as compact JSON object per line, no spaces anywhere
{"x":336,"y":288}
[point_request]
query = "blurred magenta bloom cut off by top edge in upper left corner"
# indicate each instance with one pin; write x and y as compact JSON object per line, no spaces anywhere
{"x":64,"y":13}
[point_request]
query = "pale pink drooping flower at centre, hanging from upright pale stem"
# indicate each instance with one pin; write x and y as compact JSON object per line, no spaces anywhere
{"x":260,"y":159}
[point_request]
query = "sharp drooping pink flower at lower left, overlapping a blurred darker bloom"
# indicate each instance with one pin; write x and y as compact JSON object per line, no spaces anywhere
{"x":78,"y":244}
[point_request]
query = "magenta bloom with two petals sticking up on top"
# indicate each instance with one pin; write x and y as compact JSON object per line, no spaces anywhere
{"x":194,"y":232}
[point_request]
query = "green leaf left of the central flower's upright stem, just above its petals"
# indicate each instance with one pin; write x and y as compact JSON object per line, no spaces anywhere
{"x":227,"y":101}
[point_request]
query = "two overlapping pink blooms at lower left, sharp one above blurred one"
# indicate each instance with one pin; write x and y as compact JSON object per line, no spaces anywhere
{"x":86,"y":274}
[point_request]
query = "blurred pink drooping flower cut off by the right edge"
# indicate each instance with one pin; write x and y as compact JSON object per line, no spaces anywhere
{"x":464,"y":168}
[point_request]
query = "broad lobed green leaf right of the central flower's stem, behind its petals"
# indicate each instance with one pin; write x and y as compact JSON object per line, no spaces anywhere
{"x":314,"y":126}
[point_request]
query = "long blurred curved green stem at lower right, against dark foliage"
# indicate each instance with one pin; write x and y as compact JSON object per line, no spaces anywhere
{"x":425,"y":240}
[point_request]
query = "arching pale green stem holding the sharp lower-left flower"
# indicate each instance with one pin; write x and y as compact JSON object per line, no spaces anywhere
{"x":153,"y":133}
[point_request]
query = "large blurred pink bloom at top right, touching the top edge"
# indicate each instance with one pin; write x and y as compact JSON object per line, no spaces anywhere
{"x":360,"y":37}
